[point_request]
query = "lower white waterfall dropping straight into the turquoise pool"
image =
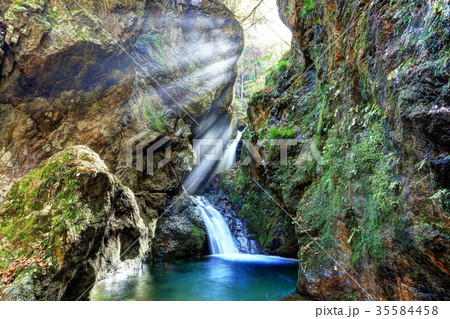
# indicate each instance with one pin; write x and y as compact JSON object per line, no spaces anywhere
{"x":221,"y":240}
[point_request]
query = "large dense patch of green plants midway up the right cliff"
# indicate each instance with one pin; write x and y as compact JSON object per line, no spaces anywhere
{"x":358,"y":184}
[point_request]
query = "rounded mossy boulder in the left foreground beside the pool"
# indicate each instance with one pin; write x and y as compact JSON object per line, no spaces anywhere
{"x":65,"y":225}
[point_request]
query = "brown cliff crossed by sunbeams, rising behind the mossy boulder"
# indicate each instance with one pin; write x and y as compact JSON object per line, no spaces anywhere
{"x":126,"y":79}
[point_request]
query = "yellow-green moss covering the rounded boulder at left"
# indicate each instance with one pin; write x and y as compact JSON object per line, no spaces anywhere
{"x":43,"y":205}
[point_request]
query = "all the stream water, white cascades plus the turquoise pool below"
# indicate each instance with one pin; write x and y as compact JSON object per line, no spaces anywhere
{"x":232,"y":274}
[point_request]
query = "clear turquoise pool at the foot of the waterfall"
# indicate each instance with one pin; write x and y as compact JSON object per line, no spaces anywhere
{"x":211,"y":278}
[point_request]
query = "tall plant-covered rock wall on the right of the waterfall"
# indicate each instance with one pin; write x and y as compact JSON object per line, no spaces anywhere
{"x":365,"y":99}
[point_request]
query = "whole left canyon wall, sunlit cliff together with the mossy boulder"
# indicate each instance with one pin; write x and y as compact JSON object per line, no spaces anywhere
{"x":121,"y":78}
